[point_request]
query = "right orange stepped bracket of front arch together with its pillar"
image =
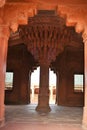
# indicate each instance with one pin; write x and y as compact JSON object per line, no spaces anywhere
{"x":74,"y":17}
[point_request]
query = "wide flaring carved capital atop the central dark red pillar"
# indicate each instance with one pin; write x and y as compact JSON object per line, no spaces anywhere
{"x":46,"y":36}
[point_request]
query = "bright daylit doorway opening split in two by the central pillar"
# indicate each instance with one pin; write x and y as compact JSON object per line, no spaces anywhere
{"x":35,"y":86}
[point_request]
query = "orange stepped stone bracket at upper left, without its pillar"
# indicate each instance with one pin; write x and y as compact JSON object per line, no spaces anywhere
{"x":15,"y":14}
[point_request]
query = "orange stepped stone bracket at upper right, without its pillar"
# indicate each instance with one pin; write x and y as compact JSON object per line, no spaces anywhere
{"x":74,"y":15}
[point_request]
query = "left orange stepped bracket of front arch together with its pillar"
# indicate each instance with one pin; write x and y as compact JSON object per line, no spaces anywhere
{"x":11,"y":15}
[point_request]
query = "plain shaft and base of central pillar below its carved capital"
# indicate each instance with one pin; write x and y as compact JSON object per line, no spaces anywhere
{"x":43,"y":98}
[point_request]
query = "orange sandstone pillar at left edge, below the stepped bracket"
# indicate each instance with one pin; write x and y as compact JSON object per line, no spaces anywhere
{"x":4,"y":34}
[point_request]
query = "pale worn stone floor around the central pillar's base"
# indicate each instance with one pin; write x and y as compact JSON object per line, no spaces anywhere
{"x":24,"y":117}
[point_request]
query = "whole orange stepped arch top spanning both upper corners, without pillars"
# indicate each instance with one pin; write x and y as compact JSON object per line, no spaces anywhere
{"x":18,"y":13}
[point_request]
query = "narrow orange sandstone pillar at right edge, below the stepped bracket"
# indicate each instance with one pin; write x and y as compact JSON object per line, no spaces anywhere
{"x":85,"y":73}
